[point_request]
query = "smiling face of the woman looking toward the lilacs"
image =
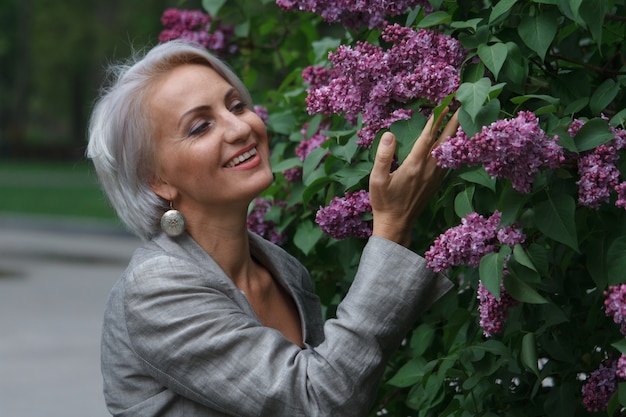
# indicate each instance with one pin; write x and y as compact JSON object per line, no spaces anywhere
{"x":212,"y":151}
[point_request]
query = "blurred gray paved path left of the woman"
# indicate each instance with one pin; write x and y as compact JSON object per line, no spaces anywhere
{"x":54,"y":280}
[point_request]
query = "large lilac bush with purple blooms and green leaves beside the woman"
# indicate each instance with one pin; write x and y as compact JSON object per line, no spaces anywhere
{"x":532,"y":213}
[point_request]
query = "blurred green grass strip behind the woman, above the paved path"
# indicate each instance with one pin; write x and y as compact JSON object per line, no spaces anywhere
{"x":67,"y":189}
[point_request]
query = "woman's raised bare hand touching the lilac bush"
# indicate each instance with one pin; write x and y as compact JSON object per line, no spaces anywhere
{"x":397,"y":198}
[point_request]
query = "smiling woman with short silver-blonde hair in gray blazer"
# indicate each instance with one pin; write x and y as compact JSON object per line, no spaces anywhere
{"x":209,"y":319}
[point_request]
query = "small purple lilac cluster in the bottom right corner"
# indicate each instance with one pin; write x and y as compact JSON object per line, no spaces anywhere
{"x":600,"y":386}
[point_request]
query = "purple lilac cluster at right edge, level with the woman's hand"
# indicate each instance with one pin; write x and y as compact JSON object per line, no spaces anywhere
{"x":598,"y":172}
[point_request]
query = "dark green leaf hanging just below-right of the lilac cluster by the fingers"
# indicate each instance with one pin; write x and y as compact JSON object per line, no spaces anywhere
{"x":554,"y":218}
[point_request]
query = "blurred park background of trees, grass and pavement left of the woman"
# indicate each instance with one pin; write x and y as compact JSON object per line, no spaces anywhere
{"x":61,"y":248}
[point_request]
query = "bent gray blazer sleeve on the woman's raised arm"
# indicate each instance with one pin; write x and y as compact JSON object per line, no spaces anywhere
{"x":198,"y":341}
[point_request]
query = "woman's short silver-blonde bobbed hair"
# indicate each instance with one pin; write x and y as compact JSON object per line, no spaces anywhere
{"x":121,"y":131}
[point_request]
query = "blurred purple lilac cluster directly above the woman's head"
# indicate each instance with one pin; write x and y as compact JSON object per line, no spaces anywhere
{"x":195,"y":26}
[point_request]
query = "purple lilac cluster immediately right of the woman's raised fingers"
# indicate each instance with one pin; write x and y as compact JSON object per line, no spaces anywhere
{"x":512,"y":148}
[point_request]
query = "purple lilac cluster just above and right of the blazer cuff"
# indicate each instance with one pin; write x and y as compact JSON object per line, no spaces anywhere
{"x":467,"y":243}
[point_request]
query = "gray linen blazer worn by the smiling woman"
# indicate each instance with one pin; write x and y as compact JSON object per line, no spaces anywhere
{"x":179,"y":339}
